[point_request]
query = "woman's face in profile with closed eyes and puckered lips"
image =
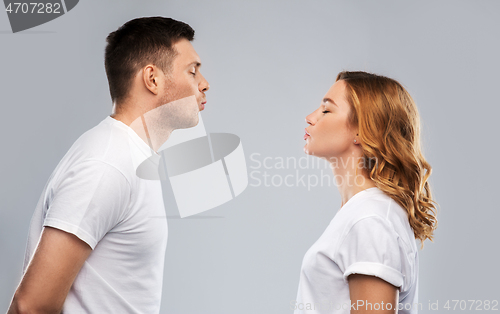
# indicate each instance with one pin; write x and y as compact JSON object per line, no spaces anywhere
{"x":328,"y":134}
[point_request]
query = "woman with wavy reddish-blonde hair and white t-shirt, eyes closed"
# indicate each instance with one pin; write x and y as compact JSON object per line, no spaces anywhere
{"x":366,"y":261}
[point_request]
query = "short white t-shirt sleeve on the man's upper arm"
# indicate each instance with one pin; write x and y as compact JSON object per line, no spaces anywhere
{"x":90,"y":199}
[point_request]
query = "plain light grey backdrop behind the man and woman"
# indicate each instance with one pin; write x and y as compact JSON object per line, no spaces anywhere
{"x":269,"y":64}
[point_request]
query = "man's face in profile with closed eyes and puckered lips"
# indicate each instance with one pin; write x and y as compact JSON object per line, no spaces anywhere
{"x":185,"y":78}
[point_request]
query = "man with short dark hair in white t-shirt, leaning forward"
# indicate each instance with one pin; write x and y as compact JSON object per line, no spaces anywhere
{"x":98,"y":236}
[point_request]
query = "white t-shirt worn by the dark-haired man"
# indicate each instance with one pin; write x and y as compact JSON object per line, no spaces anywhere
{"x":95,"y":194}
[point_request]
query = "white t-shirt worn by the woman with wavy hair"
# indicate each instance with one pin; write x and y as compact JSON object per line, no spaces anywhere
{"x":369,"y":235}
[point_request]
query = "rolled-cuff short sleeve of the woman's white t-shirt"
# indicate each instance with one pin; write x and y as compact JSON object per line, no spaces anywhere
{"x":371,"y":248}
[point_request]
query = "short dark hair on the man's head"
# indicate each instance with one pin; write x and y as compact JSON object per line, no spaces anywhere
{"x":139,"y":42}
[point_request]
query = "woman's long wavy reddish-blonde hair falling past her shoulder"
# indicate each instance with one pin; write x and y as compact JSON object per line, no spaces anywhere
{"x":389,"y":131}
